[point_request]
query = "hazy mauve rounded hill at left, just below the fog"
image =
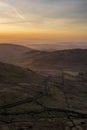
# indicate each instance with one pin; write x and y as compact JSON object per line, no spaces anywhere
{"x":10,"y":52}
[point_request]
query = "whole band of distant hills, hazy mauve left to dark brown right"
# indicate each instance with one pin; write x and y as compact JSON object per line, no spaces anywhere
{"x":72,"y":59}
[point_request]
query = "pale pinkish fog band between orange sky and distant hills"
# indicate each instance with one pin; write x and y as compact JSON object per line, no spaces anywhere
{"x":49,"y":44}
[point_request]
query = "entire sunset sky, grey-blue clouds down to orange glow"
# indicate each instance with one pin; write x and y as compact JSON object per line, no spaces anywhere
{"x":43,"y":19}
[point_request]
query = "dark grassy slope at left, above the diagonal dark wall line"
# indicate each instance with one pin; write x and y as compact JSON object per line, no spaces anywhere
{"x":18,"y":83}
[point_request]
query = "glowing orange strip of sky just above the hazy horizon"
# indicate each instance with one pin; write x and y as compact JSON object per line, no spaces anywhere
{"x":45,"y":35}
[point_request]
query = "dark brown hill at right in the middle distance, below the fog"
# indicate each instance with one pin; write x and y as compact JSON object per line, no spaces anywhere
{"x":73,"y":60}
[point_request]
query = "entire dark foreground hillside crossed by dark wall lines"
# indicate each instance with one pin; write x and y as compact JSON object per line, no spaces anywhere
{"x":29,"y":100}
